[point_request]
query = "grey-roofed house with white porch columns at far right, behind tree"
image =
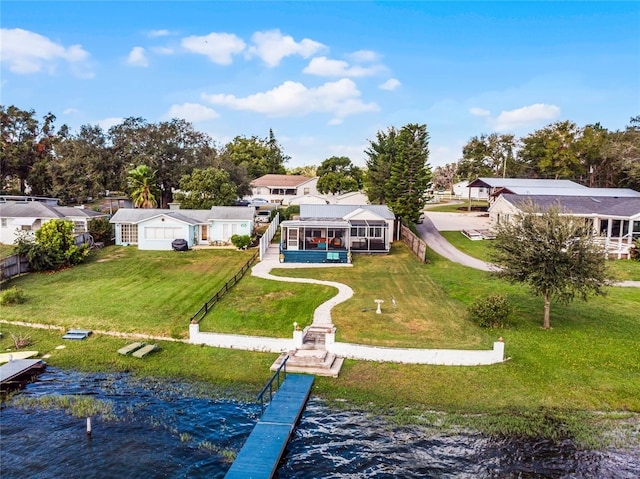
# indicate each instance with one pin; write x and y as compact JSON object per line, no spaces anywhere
{"x":613,"y":213}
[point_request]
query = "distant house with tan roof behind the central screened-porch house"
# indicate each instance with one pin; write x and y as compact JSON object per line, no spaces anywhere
{"x":281,"y":189}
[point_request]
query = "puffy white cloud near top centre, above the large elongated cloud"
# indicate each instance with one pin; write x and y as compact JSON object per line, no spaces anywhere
{"x":272,"y":46}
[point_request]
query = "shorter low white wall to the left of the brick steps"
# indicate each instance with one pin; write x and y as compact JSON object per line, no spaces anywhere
{"x":237,"y":341}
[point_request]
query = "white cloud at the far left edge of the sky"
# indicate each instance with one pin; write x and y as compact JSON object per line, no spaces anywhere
{"x":28,"y":52}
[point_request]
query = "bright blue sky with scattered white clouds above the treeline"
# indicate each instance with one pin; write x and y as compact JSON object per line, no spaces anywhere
{"x":325,"y":76}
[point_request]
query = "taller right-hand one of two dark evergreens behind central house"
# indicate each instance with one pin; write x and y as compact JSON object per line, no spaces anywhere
{"x":410,"y":173}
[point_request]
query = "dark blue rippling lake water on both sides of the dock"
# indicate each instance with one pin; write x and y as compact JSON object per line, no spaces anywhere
{"x":167,"y":430}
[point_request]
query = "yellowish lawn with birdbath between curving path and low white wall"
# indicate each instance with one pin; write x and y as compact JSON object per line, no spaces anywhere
{"x":425,"y":317}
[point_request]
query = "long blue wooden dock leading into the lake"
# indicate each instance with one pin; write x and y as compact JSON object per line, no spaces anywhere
{"x":261,"y":453}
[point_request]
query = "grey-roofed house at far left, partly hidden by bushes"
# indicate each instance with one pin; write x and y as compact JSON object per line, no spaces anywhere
{"x":18,"y":216}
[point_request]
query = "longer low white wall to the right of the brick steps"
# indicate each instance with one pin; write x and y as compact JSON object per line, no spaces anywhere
{"x":444,"y":357}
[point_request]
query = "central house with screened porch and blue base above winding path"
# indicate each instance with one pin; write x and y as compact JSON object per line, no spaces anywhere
{"x":332,"y":232}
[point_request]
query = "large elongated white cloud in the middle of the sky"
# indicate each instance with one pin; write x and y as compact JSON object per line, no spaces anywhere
{"x":340,"y":98}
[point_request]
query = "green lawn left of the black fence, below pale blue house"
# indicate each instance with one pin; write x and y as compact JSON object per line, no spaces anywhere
{"x":127,"y":290}
